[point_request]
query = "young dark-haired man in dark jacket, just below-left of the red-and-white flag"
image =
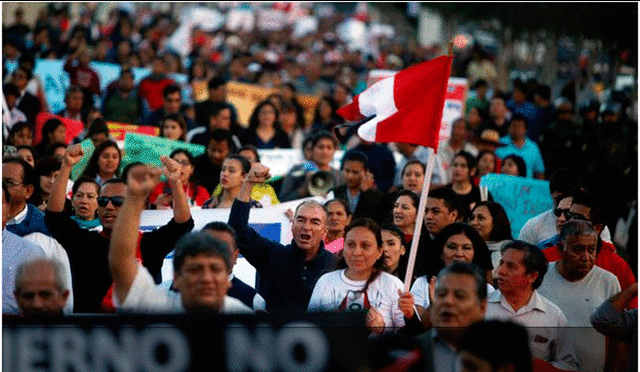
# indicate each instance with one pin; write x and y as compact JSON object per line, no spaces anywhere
{"x":362,"y":202}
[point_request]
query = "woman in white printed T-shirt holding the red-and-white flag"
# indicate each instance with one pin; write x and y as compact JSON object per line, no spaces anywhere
{"x":360,"y":284}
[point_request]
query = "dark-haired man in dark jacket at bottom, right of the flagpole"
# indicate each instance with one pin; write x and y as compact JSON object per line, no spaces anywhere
{"x":459,"y":300}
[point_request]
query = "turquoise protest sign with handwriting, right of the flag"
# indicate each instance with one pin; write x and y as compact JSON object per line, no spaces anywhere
{"x":522,"y":198}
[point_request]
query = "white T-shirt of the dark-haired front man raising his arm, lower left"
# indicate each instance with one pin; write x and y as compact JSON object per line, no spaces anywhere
{"x":146,"y":297}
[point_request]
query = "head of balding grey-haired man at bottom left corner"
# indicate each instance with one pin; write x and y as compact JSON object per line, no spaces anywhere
{"x":41,"y":287}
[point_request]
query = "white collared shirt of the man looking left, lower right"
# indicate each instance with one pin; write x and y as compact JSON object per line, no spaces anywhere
{"x":546,"y":326}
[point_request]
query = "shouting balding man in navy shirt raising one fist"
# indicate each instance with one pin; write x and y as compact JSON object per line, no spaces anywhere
{"x":287,"y":274}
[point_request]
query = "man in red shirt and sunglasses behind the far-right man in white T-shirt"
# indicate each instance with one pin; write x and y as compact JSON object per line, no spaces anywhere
{"x":586,"y":208}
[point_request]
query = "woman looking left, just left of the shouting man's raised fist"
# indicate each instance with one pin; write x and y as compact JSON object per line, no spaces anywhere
{"x":234,"y":169}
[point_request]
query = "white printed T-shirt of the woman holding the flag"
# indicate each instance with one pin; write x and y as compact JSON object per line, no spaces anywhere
{"x":335,"y":292}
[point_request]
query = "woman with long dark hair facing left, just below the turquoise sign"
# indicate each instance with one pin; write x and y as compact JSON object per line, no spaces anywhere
{"x":491,"y":222}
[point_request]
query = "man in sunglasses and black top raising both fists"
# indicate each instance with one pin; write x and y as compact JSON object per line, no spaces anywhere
{"x":88,"y":250}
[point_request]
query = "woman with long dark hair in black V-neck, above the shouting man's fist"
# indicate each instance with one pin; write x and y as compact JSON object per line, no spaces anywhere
{"x":264,"y":130}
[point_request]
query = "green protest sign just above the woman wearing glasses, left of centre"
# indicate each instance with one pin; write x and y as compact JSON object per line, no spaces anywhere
{"x":148,"y":149}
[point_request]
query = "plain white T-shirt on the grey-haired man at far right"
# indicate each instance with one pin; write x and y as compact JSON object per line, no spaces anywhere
{"x":578,"y":300}
